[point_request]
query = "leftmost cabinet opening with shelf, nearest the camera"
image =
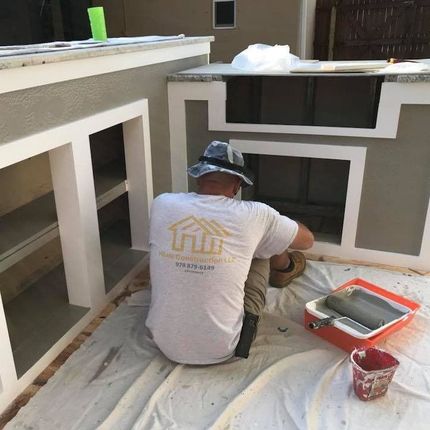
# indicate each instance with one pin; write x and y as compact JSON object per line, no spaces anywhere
{"x":32,"y":279}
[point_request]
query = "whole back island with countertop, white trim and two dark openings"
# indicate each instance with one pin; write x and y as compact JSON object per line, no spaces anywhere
{"x":346,"y":153}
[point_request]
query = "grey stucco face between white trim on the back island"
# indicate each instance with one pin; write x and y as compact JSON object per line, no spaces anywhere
{"x":396,"y":184}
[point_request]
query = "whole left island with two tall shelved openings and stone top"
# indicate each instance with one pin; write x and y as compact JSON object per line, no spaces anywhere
{"x":82,"y":125}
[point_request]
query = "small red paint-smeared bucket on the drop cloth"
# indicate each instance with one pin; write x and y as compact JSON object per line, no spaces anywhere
{"x":372,"y":371}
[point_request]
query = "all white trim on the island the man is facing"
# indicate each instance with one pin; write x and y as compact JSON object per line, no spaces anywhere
{"x":393,"y":95}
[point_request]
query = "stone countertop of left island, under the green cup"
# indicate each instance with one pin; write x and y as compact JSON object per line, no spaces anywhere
{"x":31,"y":55}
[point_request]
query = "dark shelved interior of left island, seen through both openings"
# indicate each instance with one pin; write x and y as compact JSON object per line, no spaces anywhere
{"x":33,"y":283}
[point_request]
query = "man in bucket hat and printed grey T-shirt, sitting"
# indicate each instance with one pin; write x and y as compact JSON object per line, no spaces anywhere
{"x":211,"y":257}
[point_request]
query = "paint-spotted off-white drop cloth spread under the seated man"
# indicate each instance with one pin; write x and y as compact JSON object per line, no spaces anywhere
{"x":292,"y":379}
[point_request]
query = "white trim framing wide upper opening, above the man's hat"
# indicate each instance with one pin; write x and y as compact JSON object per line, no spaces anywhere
{"x":393,"y":96}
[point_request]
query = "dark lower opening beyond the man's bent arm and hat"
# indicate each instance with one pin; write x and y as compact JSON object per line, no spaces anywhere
{"x":309,"y":190}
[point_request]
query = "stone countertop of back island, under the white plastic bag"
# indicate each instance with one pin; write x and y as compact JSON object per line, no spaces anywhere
{"x":217,"y":72}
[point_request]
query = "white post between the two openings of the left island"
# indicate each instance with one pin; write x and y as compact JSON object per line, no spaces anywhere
{"x":75,"y":200}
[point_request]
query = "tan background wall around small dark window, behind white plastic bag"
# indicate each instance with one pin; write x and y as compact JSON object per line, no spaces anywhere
{"x":270,"y":21}
